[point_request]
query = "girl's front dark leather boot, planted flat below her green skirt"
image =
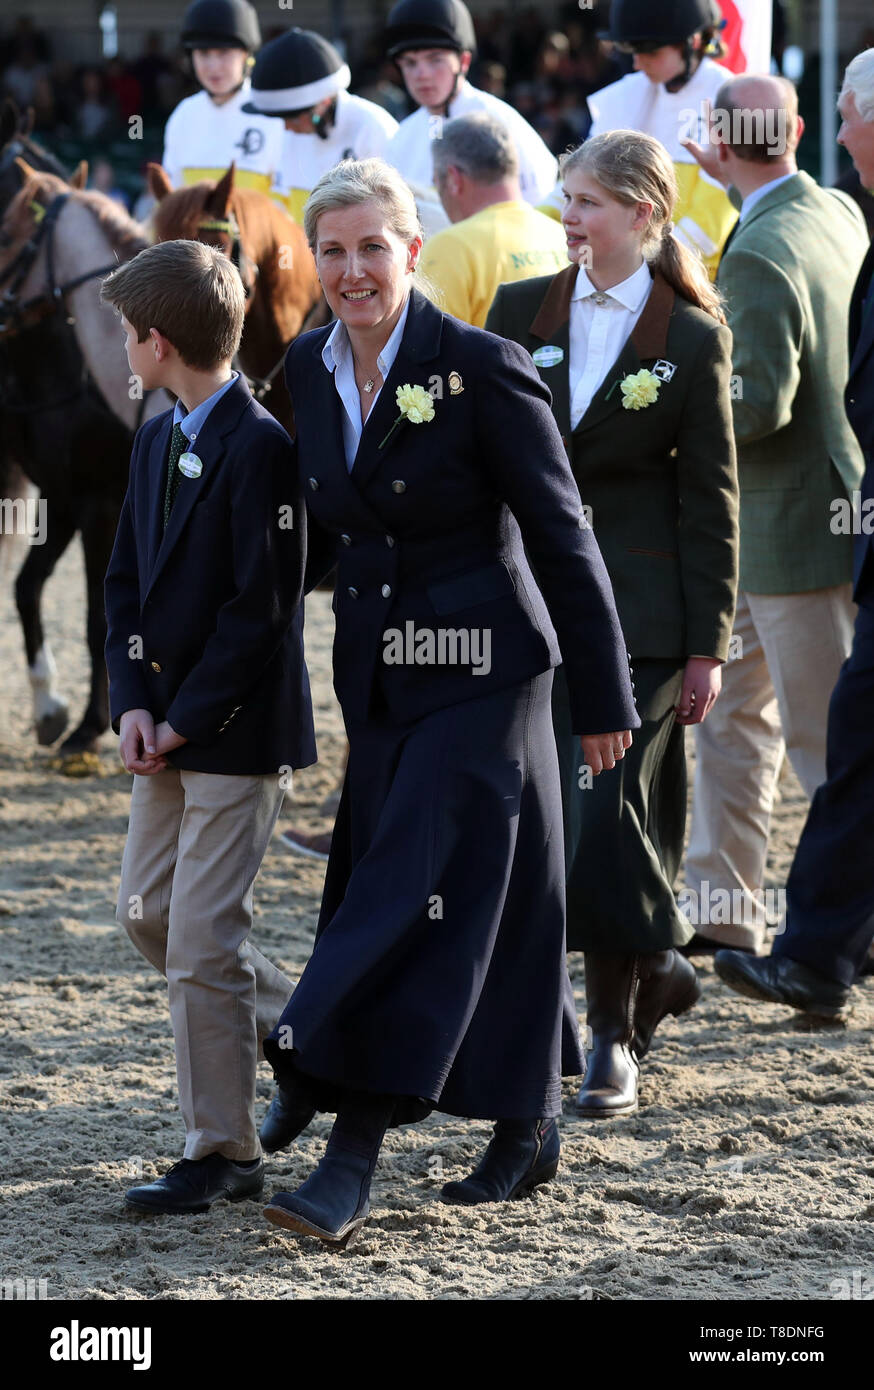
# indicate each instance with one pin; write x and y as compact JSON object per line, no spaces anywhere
{"x":611,"y":1085}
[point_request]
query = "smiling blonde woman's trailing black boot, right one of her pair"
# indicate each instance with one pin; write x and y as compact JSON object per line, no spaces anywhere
{"x":522,"y":1156}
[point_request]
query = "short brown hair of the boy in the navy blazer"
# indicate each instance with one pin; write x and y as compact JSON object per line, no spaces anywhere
{"x":192,"y":294}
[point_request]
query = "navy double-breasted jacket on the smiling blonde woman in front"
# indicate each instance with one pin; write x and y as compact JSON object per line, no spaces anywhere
{"x":426,"y":529}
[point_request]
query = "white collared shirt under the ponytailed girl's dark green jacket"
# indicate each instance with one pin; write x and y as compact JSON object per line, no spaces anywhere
{"x":600,"y":332}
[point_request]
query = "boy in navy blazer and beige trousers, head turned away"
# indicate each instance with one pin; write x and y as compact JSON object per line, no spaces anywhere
{"x":211,"y":694}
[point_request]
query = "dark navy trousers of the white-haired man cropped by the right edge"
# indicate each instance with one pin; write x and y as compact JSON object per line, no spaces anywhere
{"x":830,"y":892}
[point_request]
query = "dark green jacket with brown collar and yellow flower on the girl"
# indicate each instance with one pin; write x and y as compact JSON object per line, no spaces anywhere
{"x":661,"y":482}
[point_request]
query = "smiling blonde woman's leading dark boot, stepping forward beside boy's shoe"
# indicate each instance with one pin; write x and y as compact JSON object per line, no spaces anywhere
{"x":334,"y":1204}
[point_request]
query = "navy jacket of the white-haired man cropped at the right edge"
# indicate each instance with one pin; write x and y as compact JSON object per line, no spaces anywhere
{"x":859,"y":401}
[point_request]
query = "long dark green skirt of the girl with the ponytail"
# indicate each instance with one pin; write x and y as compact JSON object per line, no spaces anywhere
{"x":625,"y":833}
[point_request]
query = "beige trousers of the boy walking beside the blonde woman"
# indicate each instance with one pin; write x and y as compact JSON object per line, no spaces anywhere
{"x":195,"y":846}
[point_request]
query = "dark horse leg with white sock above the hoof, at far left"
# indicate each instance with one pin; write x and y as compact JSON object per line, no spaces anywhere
{"x":51,"y":710}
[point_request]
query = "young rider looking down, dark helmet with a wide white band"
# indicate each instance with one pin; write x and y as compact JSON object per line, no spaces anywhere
{"x":304,"y":80}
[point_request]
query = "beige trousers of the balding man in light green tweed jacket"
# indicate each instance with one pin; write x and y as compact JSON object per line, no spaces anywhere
{"x":775,"y":700}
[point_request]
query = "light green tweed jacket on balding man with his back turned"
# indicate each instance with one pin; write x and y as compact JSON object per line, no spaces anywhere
{"x":789,"y":276}
